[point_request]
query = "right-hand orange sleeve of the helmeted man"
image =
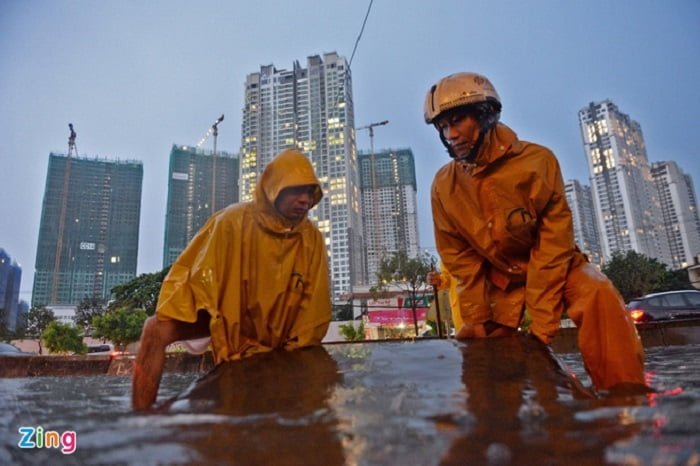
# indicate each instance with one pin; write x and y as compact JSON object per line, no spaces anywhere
{"x":552,"y":254}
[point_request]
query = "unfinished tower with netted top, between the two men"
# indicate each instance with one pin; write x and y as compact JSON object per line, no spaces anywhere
{"x":389,"y":205}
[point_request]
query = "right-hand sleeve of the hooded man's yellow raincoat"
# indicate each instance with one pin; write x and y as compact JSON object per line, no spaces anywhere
{"x":314,"y":315}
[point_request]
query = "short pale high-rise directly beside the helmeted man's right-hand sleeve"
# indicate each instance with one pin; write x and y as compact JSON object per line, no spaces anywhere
{"x":580,"y":201}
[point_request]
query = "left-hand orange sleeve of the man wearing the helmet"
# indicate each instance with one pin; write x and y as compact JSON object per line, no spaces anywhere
{"x":464,"y":264}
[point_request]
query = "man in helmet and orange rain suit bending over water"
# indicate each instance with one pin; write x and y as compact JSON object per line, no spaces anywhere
{"x":504,"y":231}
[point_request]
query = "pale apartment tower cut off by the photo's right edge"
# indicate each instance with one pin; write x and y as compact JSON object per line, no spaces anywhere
{"x":680,"y":212}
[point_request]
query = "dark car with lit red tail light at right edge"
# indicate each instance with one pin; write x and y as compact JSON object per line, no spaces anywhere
{"x":669,"y":305}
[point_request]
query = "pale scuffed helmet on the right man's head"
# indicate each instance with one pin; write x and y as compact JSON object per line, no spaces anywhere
{"x":459,"y":90}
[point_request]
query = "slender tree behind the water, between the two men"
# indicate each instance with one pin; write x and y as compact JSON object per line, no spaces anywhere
{"x":406,"y":273}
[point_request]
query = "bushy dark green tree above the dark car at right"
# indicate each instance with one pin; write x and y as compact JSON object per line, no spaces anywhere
{"x":634,"y":274}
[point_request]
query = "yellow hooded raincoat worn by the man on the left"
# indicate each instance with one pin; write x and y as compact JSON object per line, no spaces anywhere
{"x":263,"y":282}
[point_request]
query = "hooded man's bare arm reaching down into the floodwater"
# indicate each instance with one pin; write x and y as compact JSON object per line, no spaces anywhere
{"x":148,"y":368}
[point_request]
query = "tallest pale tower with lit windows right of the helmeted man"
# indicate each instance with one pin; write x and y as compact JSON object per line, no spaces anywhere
{"x":625,"y":198}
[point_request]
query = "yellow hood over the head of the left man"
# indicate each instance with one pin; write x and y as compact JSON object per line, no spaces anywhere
{"x":288,"y":169}
